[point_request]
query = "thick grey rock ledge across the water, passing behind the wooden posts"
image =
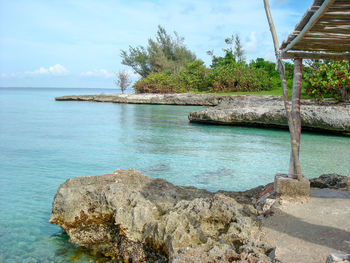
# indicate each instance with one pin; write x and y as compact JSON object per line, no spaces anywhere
{"x":268,"y":111}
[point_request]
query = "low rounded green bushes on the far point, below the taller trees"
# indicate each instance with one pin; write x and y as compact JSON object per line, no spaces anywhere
{"x":196,"y":77}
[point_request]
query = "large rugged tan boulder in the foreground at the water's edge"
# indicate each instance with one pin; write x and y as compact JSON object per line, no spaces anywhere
{"x":128,"y":216}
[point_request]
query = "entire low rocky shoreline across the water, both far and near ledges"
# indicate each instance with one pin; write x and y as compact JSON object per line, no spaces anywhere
{"x":243,"y":110}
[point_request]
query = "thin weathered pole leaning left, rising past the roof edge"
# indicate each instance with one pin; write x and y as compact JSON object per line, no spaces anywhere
{"x":297,"y":174}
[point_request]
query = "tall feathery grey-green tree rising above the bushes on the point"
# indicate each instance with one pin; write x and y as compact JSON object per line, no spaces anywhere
{"x":163,"y":54}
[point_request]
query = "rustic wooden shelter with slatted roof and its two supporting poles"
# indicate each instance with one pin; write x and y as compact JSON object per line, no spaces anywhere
{"x":322,"y":33}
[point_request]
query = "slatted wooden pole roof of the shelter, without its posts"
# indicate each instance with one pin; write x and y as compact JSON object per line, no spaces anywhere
{"x":323,"y":32}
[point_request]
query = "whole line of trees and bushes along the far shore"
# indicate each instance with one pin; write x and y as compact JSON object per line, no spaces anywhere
{"x":166,"y":65}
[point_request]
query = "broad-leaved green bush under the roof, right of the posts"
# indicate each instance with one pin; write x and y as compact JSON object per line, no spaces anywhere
{"x":328,"y":79}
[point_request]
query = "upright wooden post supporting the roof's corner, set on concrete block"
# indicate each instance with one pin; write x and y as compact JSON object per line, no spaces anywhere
{"x":297,"y":83}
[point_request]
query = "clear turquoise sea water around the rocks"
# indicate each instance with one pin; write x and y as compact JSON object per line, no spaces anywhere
{"x":44,"y":142}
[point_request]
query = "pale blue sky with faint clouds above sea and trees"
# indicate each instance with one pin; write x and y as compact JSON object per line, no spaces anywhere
{"x":77,"y":43}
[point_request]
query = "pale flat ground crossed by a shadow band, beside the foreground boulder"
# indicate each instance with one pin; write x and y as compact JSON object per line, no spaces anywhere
{"x":310,"y":232}
